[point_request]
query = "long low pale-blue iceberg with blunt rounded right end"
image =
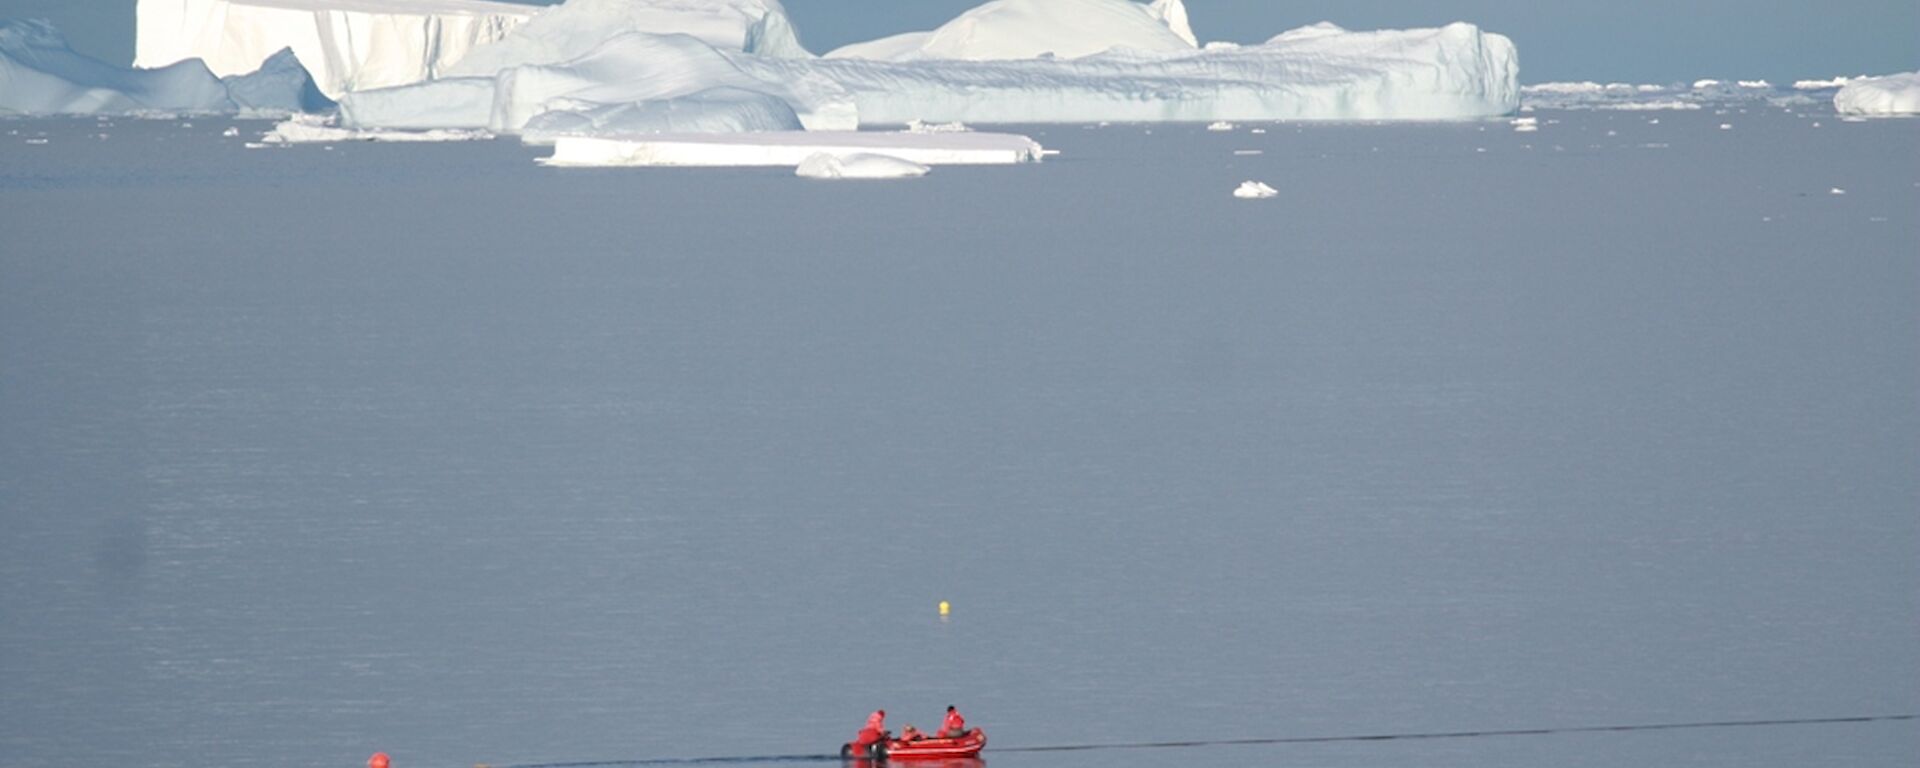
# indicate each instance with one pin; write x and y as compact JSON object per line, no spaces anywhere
{"x":1332,"y":74}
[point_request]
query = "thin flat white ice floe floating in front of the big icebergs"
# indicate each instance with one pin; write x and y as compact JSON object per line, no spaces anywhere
{"x":792,"y":149}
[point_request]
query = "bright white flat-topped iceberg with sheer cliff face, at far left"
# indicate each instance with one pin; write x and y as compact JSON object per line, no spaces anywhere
{"x":347,"y":45}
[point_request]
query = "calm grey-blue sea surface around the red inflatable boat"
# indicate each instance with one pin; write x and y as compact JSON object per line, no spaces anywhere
{"x":431,"y":450}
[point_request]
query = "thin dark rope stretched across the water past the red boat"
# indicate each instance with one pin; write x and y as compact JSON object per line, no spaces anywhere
{"x":1282,"y":740}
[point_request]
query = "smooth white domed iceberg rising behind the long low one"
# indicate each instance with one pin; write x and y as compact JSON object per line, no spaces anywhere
{"x":1026,"y":30}
